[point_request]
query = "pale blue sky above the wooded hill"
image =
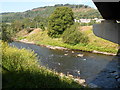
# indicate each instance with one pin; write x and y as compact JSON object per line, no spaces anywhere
{"x":23,"y":5}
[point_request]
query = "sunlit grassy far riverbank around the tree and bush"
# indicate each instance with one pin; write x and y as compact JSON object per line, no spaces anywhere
{"x":95,"y":43}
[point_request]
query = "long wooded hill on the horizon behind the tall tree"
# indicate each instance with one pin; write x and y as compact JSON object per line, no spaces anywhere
{"x":80,"y":11}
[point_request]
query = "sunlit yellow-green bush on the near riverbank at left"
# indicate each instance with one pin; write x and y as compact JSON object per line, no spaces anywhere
{"x":14,"y":59}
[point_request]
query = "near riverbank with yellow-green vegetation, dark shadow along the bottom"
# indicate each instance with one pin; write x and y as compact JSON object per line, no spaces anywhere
{"x":20,"y":69}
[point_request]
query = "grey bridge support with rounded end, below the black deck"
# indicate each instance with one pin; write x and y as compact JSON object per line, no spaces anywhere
{"x":109,"y":30}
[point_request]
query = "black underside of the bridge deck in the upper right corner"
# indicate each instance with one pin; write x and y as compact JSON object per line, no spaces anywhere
{"x":109,"y":9}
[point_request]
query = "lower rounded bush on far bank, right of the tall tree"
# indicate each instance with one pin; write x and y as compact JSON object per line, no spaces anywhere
{"x":73,"y":36}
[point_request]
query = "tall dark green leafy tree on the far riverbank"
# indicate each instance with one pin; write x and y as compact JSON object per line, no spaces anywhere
{"x":59,"y":21}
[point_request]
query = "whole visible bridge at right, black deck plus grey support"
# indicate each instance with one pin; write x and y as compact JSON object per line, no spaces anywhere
{"x":110,"y":28}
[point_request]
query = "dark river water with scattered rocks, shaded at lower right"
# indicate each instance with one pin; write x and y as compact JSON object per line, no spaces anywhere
{"x":96,"y":69}
